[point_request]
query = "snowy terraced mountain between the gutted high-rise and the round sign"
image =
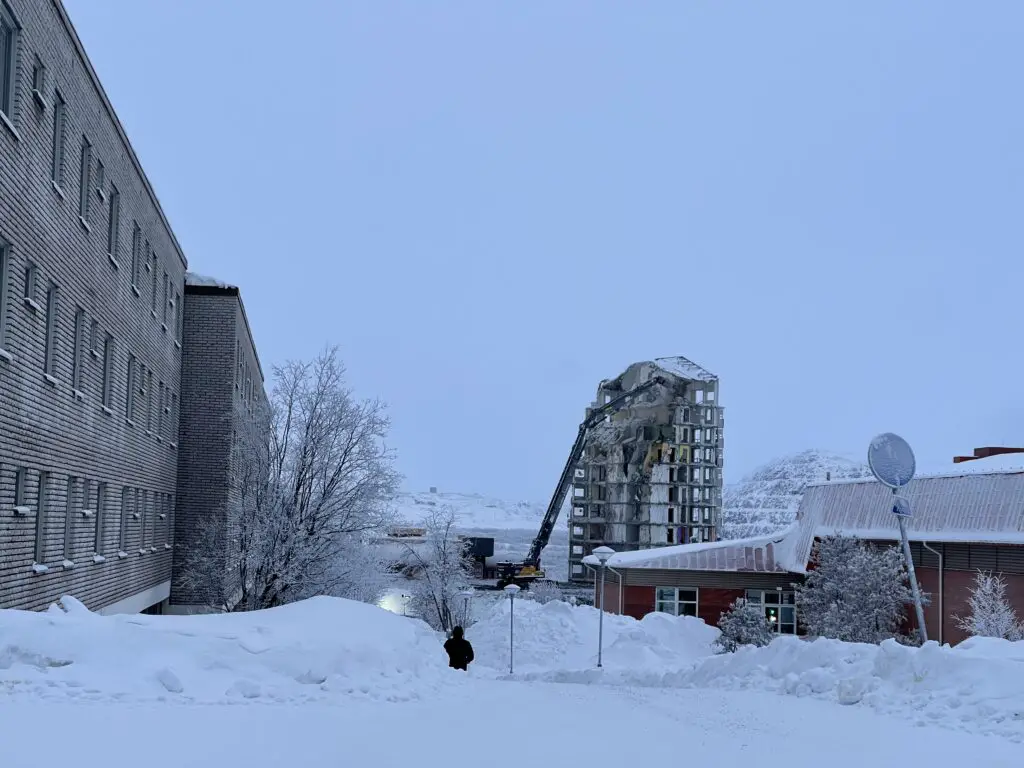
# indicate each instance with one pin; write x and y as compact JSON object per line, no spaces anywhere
{"x":766,"y":501}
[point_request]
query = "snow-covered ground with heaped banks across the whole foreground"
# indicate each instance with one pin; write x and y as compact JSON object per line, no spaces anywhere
{"x":335,"y":682}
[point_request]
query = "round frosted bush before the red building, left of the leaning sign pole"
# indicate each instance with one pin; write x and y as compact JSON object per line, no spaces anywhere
{"x":856,"y":592}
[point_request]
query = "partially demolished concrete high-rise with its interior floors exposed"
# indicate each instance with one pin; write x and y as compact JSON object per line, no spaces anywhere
{"x":652,"y":474}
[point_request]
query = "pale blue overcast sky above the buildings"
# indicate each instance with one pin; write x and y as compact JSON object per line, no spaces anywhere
{"x":490,"y":207}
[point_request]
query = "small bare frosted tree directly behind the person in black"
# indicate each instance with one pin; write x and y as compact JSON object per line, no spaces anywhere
{"x":444,"y":569}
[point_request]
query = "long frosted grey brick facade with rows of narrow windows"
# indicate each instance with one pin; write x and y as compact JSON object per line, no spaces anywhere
{"x":93,"y":311}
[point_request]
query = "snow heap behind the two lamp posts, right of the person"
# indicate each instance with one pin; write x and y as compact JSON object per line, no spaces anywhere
{"x":559,"y":642}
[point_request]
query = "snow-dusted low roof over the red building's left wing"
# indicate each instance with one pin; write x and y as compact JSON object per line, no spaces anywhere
{"x":772,"y":554}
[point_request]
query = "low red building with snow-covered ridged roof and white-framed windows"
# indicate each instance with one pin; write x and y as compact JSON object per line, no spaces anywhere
{"x":961,"y":524}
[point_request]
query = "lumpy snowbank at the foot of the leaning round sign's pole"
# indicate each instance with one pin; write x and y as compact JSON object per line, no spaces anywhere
{"x":977,"y":687}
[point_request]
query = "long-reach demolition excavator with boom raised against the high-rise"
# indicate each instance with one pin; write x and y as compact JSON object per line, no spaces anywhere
{"x":529,"y":571}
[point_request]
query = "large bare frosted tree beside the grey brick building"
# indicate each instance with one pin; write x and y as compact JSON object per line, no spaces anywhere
{"x":312,"y":483}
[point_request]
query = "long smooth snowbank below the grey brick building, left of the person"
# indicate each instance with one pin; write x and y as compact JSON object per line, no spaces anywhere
{"x":313,"y":651}
